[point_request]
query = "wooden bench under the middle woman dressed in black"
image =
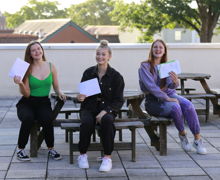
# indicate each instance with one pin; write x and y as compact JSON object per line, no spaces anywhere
{"x":131,"y":125}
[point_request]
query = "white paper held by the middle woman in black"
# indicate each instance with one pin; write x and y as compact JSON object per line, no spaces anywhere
{"x":89,"y":87}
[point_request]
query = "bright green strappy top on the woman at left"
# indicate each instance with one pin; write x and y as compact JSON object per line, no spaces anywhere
{"x":39,"y":87}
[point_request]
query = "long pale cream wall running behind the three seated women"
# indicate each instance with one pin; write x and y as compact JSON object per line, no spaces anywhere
{"x":72,"y":59}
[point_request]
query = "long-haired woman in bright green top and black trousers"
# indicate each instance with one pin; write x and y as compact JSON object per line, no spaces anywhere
{"x":35,"y":104}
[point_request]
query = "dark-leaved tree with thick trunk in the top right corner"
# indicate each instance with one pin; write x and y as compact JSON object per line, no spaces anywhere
{"x":203,"y":18}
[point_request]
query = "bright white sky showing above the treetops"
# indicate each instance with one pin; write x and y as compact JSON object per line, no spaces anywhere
{"x":12,"y":6}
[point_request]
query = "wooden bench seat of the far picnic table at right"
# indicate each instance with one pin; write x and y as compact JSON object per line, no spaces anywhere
{"x":204,"y":96}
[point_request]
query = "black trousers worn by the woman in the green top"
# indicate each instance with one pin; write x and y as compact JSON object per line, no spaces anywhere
{"x":31,"y":110}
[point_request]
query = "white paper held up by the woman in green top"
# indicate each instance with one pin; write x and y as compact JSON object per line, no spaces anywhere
{"x":19,"y":68}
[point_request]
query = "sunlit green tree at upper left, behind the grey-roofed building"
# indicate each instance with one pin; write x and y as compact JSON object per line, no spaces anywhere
{"x":35,"y":10}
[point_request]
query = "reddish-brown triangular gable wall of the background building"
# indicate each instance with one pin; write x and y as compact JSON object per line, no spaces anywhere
{"x":70,"y":35}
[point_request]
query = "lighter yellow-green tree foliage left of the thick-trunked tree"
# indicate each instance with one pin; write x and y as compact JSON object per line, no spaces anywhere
{"x":141,"y":16}
